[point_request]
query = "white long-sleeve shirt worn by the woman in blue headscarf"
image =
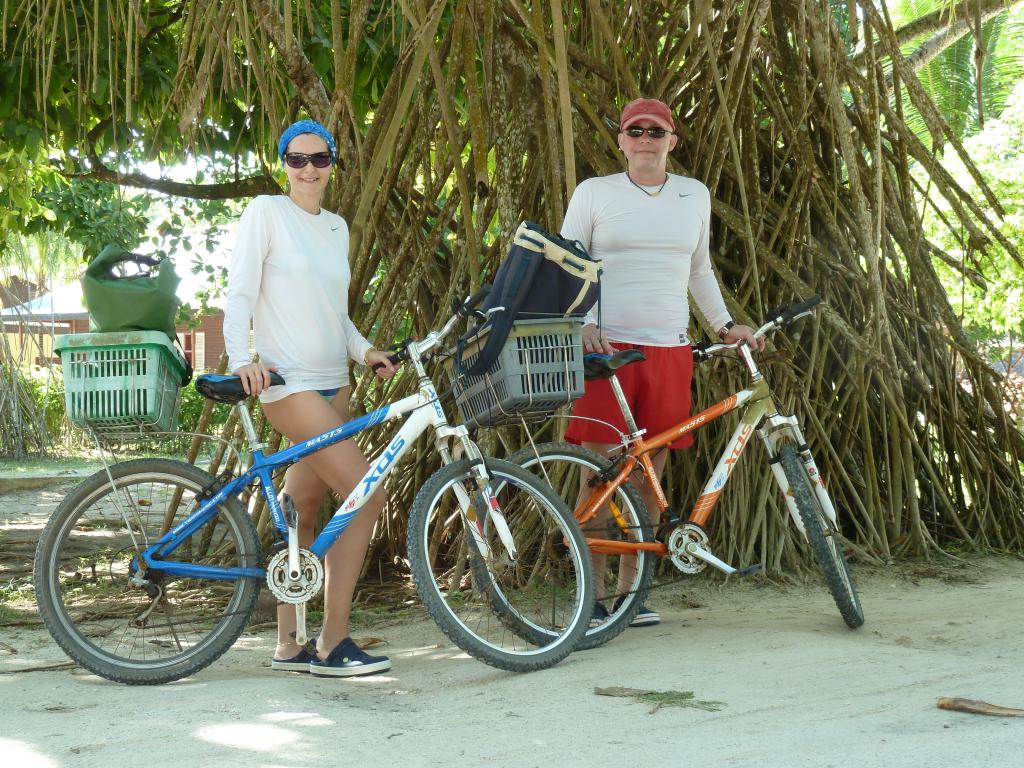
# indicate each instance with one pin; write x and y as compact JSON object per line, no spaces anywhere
{"x":289,"y":275}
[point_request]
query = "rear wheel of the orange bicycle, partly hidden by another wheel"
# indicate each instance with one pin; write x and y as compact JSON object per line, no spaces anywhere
{"x":565,"y":480}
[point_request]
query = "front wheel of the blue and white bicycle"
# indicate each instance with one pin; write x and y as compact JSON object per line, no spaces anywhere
{"x":547,"y":586}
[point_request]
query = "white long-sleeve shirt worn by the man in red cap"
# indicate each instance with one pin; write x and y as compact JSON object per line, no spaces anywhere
{"x":654,"y":249}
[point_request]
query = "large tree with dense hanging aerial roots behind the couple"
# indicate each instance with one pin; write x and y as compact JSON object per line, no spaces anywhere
{"x":808,"y":120}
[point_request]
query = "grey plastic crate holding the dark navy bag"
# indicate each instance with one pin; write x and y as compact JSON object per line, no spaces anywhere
{"x":539,"y":370}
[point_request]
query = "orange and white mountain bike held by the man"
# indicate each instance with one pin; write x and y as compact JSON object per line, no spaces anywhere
{"x":616,"y":520}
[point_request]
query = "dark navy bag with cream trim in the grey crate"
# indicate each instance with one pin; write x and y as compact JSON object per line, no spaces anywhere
{"x":544,"y":276}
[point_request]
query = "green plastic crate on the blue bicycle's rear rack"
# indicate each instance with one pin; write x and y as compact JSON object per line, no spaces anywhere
{"x":121,"y":383}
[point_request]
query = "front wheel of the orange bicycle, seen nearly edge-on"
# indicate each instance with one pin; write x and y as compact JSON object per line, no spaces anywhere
{"x":824,"y":538}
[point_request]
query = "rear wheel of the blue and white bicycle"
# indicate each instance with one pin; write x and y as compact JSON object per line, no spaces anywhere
{"x":83,"y":566}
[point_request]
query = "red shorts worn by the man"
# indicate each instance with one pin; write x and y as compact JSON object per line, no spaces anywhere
{"x":657,"y":390}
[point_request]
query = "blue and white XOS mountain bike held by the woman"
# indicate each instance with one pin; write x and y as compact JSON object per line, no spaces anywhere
{"x":150,"y":570}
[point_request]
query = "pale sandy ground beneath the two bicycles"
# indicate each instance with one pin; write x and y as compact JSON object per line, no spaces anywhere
{"x":795,"y":688}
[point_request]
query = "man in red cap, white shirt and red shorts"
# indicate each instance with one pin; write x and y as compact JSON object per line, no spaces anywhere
{"x":652,"y":230}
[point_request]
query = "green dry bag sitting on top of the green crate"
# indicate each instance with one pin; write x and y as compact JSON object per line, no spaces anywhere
{"x":130,"y":292}
